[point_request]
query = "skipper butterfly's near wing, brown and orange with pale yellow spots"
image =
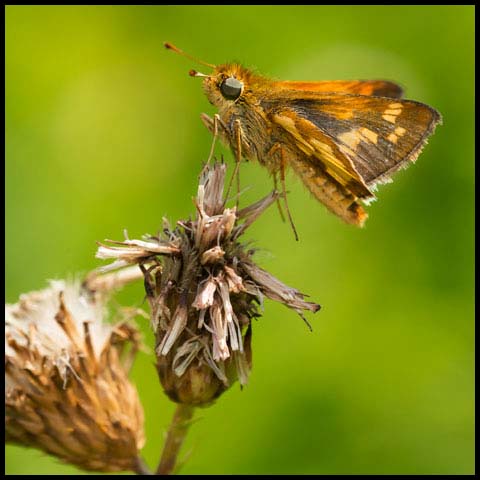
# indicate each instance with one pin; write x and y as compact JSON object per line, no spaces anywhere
{"x":378,"y":135}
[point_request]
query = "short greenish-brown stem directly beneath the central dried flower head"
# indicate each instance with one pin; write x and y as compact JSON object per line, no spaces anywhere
{"x":175,"y":437}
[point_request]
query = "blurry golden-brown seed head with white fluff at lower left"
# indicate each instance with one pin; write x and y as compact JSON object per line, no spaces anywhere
{"x":67,"y":390}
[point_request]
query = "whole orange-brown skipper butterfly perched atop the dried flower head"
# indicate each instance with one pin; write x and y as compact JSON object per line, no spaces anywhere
{"x":342,"y":138}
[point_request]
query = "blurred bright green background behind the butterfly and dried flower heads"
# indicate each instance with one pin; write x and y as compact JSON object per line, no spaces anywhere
{"x":103,"y":133}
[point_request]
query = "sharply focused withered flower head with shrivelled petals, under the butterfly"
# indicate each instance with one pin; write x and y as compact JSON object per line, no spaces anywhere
{"x":204,"y":289}
